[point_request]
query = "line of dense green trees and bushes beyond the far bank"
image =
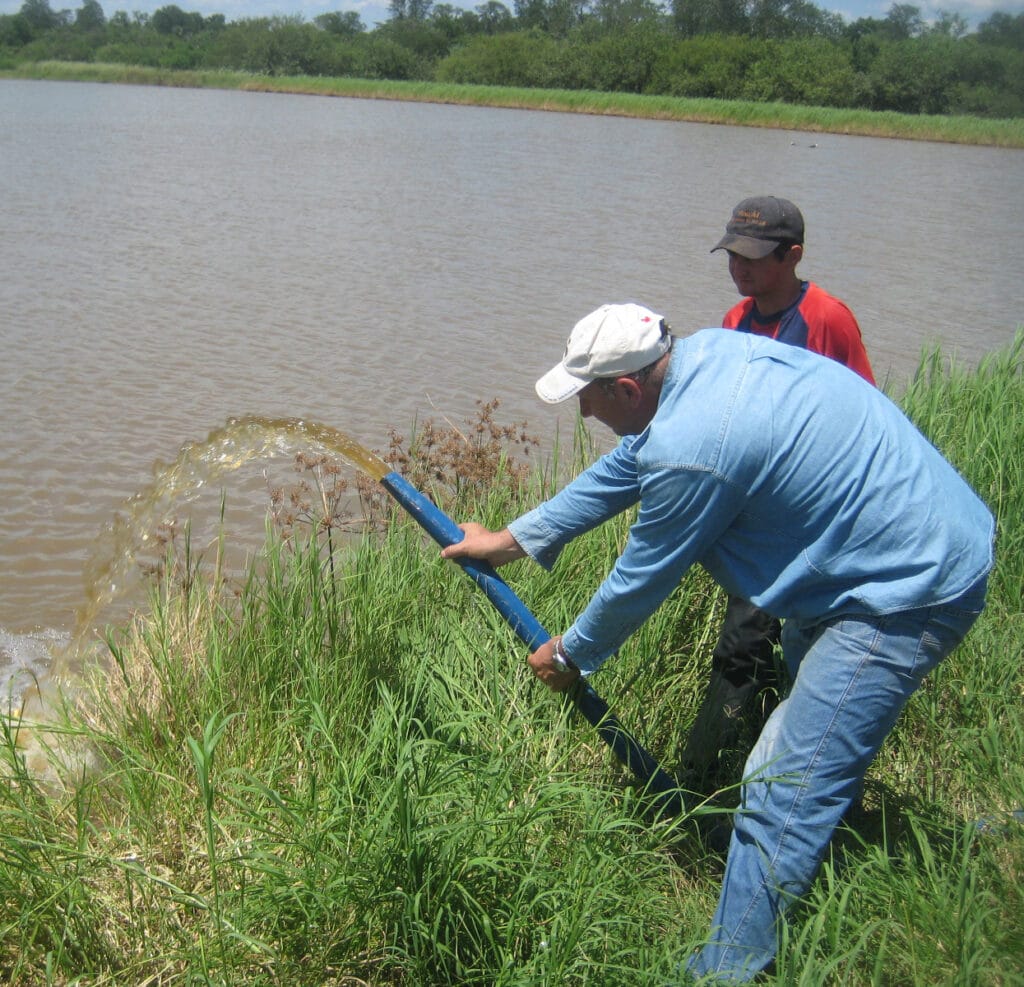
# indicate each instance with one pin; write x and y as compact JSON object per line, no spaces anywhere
{"x":762,"y":51}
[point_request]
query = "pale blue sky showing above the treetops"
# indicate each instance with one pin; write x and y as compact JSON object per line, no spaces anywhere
{"x":373,"y":13}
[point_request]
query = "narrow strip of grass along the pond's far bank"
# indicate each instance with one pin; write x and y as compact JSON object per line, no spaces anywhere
{"x":965,"y":131}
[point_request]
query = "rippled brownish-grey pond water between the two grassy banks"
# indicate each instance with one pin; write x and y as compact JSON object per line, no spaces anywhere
{"x":174,"y":259}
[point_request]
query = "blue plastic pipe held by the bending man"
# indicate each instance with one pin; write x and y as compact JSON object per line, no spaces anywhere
{"x":445,"y":532}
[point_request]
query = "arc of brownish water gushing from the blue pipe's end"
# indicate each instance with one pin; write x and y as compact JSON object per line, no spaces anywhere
{"x":198,"y":467}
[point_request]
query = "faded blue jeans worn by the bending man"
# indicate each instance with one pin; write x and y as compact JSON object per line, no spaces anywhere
{"x":851,"y":677}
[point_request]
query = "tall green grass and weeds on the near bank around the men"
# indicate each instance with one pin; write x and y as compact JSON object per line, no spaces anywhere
{"x":340,"y":771}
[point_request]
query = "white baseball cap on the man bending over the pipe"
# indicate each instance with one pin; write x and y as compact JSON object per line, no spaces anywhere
{"x":611,"y":342}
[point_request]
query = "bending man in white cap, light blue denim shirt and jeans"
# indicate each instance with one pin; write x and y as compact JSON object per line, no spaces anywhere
{"x":798,"y":487}
